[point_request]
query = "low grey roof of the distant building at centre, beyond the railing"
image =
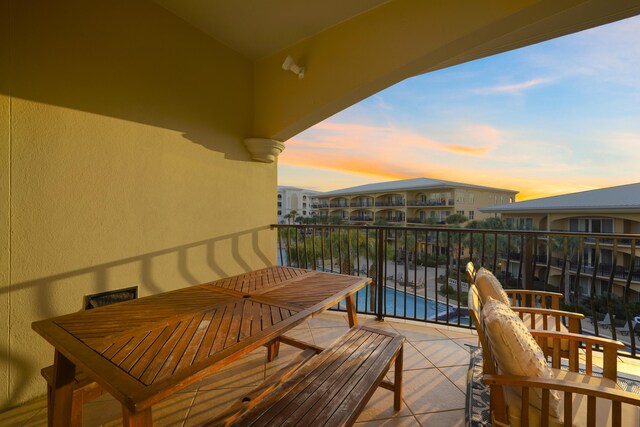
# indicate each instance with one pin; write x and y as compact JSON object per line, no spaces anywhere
{"x":406,"y":184}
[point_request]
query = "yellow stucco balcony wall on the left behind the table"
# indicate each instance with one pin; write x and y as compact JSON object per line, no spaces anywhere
{"x":122,"y":130}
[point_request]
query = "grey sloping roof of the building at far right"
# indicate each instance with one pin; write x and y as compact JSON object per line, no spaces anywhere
{"x":611,"y":199}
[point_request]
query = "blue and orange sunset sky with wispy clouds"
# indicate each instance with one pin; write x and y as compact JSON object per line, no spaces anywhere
{"x":553,"y":118}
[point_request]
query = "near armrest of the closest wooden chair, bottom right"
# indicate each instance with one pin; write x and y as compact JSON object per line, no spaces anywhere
{"x":565,"y":386}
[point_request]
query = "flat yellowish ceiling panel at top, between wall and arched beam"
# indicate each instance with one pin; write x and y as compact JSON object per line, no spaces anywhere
{"x":259,"y":28}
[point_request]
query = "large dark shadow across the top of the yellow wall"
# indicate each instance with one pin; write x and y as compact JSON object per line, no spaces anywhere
{"x":133,"y":61}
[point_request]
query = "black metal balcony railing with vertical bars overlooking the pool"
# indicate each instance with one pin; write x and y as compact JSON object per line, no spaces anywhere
{"x":419,"y":272}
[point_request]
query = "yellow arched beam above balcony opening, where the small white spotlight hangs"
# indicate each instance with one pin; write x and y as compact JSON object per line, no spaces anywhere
{"x":356,"y":48}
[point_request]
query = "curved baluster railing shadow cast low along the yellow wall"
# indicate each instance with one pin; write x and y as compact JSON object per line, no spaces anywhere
{"x":25,"y":369}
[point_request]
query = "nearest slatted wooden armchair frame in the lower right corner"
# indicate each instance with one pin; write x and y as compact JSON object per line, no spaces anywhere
{"x":586,"y":399}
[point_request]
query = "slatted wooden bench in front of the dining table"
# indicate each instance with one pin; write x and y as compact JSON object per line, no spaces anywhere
{"x":331,"y":389}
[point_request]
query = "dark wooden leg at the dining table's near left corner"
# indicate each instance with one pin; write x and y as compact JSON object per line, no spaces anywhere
{"x":61,"y":394}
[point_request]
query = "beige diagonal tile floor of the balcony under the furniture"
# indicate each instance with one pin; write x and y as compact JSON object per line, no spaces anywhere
{"x":435,"y":368}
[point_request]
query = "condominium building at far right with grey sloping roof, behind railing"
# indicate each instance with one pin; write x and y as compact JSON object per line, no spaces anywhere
{"x":613,"y":210}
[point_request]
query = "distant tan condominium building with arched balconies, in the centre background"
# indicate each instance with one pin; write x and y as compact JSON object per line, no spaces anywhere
{"x":412,"y":201}
